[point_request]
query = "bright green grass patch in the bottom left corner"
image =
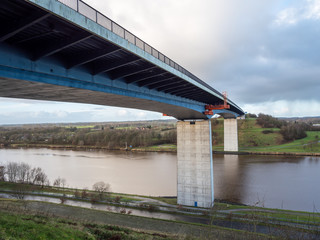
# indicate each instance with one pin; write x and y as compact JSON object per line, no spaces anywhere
{"x":26,"y":226}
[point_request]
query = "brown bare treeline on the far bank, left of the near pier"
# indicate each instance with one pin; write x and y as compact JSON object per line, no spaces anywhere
{"x":110,"y":137}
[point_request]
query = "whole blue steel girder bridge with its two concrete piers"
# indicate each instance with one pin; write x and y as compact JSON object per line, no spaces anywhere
{"x":64,"y":50}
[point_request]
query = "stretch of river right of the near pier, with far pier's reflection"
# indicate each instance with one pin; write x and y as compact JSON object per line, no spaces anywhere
{"x":287,"y":182}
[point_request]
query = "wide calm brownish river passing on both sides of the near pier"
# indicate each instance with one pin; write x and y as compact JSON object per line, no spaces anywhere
{"x":286,"y":182}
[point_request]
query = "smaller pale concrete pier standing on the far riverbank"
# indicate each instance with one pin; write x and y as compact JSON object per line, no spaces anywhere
{"x":231,"y":135}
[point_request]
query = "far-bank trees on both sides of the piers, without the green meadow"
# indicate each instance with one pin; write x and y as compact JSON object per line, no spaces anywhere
{"x":137,"y":134}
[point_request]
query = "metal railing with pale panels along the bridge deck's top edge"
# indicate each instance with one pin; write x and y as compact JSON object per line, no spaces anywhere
{"x":104,"y":21}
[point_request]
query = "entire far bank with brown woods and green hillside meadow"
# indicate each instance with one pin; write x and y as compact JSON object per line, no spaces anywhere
{"x":260,"y":134}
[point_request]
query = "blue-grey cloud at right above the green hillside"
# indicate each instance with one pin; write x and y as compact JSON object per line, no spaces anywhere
{"x":280,"y":65}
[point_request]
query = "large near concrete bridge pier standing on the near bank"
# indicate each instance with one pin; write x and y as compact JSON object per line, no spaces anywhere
{"x":195,"y":170}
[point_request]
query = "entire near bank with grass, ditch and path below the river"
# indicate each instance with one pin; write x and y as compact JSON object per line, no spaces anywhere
{"x":28,"y":219}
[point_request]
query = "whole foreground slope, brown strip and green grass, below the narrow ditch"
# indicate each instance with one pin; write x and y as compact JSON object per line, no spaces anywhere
{"x":40,"y":220}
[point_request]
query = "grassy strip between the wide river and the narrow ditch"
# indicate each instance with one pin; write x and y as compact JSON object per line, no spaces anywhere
{"x":240,"y":210}
